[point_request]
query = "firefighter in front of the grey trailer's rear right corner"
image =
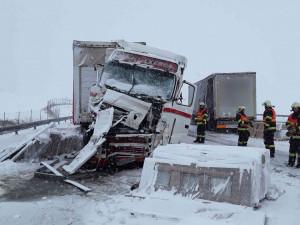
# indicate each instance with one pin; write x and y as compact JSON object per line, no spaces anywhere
{"x":243,"y":126}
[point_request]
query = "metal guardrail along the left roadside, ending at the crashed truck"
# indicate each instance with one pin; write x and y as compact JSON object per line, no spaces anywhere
{"x":16,"y":128}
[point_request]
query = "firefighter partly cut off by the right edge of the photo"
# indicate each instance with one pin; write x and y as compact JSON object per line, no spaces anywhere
{"x":293,"y":126}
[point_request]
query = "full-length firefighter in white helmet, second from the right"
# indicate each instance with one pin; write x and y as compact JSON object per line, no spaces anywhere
{"x":269,"y":120}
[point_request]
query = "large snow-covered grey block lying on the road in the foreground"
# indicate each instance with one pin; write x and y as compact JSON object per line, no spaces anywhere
{"x":219,"y":173}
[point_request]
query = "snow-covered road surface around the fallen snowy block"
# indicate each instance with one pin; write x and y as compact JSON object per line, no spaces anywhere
{"x":24,"y":200}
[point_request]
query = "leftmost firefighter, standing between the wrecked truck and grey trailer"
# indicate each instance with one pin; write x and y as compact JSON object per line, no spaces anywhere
{"x":202,"y":115}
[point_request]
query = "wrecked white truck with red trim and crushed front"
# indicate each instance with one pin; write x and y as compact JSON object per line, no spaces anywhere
{"x":128,"y":99}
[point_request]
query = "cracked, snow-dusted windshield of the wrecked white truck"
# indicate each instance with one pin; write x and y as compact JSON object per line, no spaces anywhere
{"x":138,"y":80}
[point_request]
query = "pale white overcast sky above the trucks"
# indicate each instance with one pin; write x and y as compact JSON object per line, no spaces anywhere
{"x":215,"y":36}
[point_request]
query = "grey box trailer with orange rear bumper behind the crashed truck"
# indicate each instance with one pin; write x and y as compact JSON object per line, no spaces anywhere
{"x":223,"y":93}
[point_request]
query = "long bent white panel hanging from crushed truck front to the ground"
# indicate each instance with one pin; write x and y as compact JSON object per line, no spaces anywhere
{"x":102,"y":126}
